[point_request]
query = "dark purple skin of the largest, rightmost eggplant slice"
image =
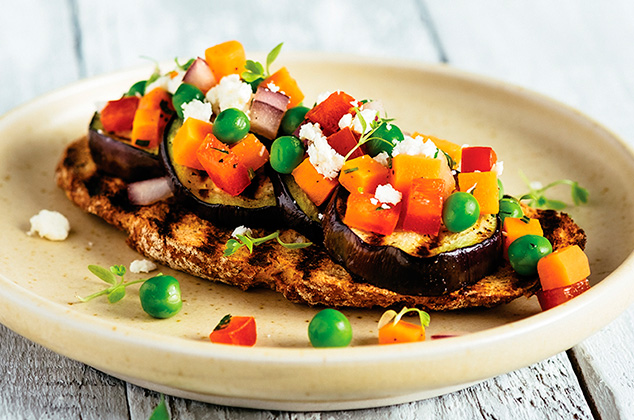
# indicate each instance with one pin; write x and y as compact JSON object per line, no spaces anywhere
{"x":391,"y":268}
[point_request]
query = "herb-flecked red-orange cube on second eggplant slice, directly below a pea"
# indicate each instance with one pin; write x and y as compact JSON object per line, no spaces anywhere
{"x":223,"y":166}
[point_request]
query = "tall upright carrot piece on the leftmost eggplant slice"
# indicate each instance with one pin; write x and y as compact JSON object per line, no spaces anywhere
{"x":151,"y":116}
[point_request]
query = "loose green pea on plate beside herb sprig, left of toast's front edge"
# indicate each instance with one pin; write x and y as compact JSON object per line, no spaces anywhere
{"x":161,"y":296}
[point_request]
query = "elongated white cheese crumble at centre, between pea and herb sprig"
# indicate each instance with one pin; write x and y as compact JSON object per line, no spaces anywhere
{"x":322,"y":156}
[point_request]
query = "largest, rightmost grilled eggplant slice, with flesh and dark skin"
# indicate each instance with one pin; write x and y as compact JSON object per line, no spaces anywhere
{"x":413,"y":264}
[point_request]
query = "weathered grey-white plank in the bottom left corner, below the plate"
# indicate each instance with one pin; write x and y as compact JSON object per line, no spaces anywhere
{"x":38,"y":383}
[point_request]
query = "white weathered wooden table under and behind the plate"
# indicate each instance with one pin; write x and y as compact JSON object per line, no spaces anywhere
{"x":579,"y":52}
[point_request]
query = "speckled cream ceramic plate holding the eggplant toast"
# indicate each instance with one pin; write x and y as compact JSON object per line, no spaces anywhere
{"x":40,"y":279}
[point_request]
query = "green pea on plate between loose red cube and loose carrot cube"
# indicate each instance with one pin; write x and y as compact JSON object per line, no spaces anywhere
{"x":330,"y":328}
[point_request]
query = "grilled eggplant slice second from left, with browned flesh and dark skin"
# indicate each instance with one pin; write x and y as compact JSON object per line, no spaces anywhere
{"x":255,"y":207}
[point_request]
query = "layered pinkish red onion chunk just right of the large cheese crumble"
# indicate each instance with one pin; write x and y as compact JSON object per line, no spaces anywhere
{"x":267,"y":110}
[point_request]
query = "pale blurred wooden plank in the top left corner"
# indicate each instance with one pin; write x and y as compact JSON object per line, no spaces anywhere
{"x":37,"y":53}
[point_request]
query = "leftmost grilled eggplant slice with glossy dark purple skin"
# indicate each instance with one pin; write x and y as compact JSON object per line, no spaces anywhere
{"x":116,"y":156}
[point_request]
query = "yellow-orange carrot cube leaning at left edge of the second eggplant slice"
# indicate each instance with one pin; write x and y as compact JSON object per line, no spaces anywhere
{"x":187,"y":141}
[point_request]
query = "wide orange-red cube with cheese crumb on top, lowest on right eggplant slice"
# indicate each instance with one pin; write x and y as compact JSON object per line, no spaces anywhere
{"x":364,"y":212}
